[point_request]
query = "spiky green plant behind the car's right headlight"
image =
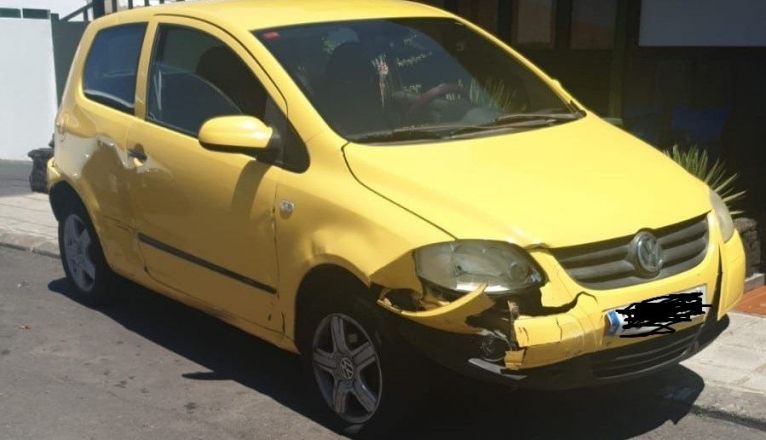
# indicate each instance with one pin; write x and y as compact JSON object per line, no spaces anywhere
{"x":697,"y":162}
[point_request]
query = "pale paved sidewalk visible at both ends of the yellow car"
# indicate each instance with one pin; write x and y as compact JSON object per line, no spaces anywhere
{"x":733,"y":367}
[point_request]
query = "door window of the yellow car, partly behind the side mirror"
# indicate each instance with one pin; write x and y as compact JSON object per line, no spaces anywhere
{"x":196,"y":77}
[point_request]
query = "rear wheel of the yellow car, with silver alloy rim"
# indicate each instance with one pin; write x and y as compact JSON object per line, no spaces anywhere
{"x":82,"y":257}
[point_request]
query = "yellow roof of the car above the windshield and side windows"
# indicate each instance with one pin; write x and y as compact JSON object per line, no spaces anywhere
{"x":264,"y":14}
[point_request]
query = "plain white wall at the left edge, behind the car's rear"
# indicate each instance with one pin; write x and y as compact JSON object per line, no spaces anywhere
{"x":27,"y":86}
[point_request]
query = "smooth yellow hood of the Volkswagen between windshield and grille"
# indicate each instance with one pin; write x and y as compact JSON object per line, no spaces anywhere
{"x":573,"y":183}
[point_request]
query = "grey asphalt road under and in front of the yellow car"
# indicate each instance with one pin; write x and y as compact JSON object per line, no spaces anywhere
{"x":149,"y":368}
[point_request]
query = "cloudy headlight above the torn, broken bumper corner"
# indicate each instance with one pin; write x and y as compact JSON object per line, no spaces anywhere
{"x":463,"y":266}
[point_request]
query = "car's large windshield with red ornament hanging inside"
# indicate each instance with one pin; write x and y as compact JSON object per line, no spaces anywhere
{"x":412,"y":79}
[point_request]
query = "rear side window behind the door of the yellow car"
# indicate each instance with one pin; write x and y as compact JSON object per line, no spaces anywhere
{"x":110,"y":69}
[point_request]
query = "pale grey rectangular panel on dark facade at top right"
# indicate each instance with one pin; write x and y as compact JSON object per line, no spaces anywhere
{"x":703,"y":23}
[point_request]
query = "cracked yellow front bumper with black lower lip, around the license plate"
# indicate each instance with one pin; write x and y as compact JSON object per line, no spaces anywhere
{"x":570,"y":347}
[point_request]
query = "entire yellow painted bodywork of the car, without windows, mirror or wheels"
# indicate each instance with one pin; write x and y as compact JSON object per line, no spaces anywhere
{"x":364,"y":208}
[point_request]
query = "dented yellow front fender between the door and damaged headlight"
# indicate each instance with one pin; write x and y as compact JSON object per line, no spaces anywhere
{"x":342,"y":233}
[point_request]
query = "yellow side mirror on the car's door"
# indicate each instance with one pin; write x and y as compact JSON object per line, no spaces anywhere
{"x":235,"y":134}
